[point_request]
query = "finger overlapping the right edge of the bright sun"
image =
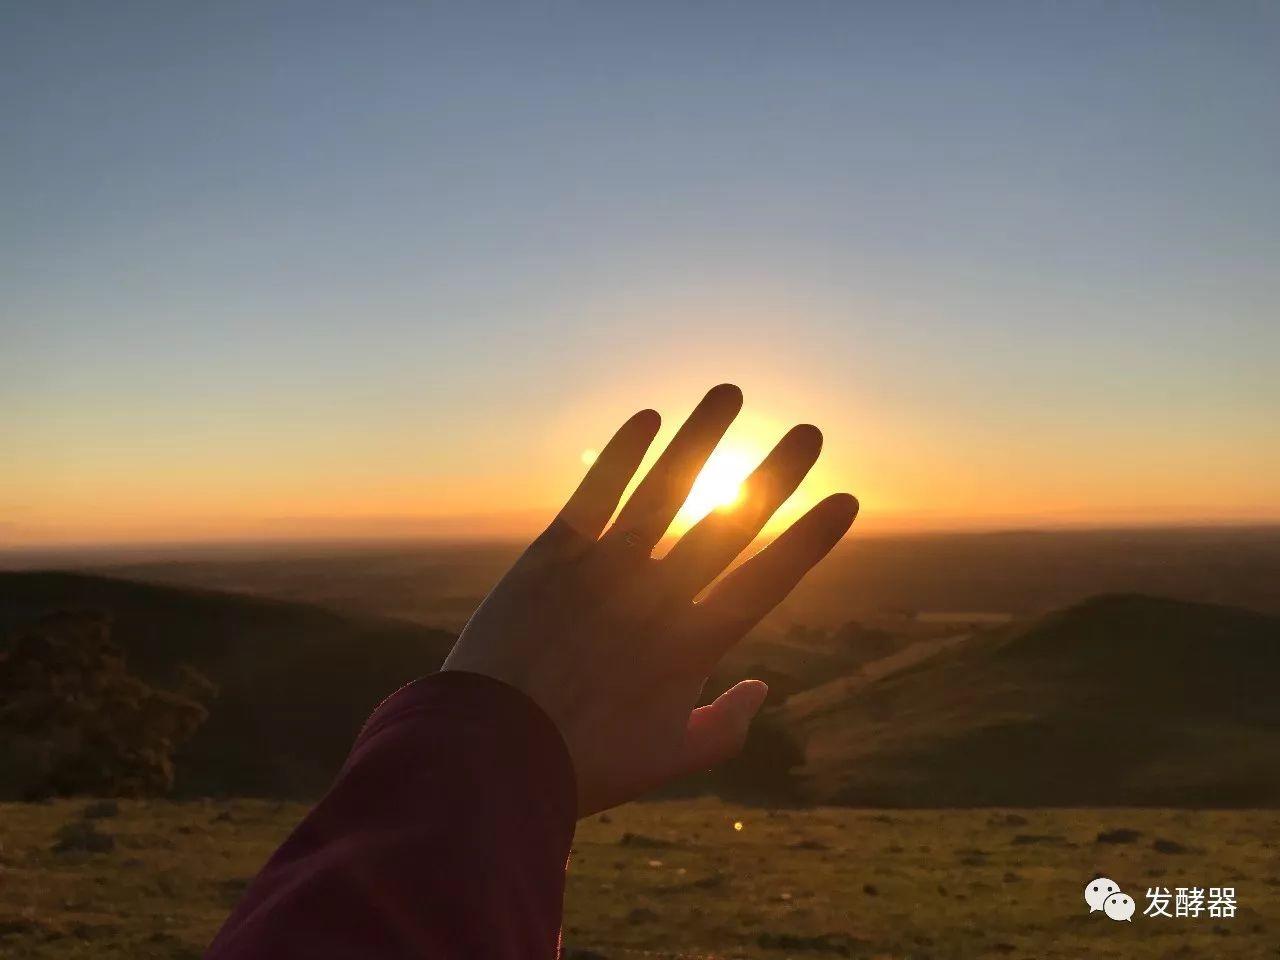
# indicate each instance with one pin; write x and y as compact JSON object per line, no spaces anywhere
{"x":721,"y":536}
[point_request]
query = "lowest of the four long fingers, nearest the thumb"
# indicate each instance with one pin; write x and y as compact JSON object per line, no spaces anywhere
{"x":744,"y":597}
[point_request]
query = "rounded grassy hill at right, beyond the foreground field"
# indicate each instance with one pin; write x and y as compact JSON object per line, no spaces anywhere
{"x":1118,"y":701}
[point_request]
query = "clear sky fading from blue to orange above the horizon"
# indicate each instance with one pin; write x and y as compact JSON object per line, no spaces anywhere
{"x":381,"y":269}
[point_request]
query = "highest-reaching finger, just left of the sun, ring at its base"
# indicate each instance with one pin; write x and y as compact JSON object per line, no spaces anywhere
{"x":660,"y":496}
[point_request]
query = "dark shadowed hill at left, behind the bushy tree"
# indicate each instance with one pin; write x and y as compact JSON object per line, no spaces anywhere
{"x":296,"y":682}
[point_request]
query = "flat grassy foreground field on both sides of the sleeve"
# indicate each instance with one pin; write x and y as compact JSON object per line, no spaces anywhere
{"x":678,"y":880}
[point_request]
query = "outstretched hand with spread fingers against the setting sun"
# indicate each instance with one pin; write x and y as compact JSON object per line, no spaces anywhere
{"x":610,"y":642}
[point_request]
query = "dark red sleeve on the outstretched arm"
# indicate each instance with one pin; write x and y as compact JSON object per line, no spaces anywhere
{"x":446,"y":835}
